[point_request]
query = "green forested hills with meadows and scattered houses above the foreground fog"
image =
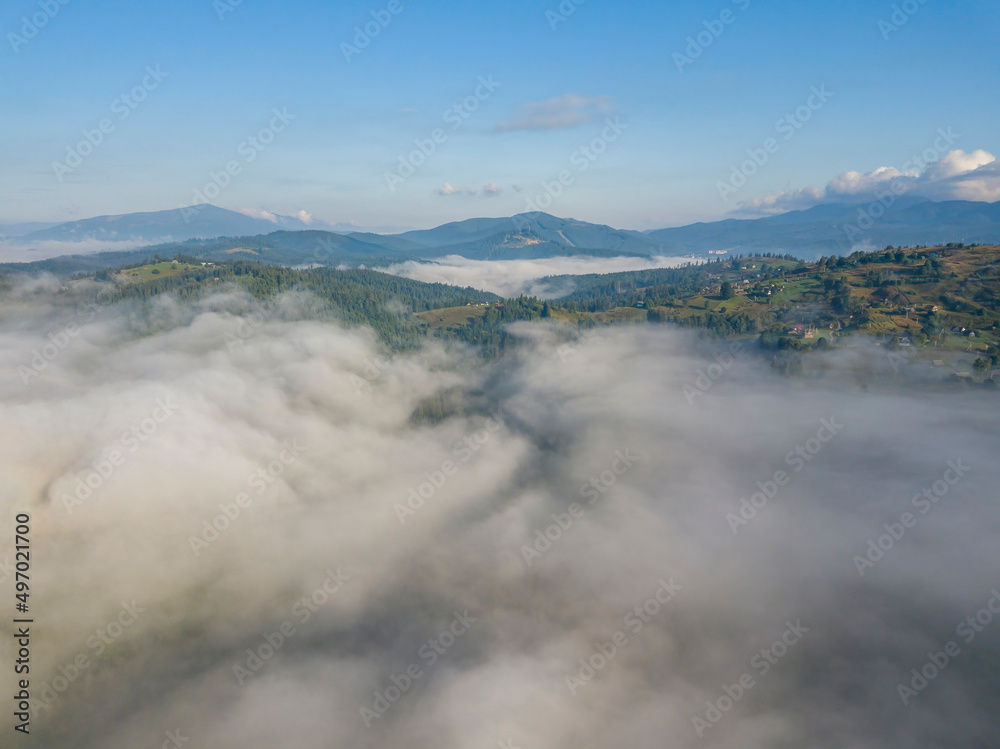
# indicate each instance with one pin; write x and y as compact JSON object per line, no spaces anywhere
{"x":924,"y":294}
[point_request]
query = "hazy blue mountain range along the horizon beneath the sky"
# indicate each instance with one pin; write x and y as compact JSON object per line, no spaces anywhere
{"x":827,"y":229}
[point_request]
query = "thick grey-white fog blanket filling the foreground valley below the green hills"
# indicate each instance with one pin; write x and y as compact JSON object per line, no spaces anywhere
{"x":561,"y":557}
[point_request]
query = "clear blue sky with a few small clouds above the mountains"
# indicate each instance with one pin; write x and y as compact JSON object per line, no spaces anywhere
{"x":680,"y":131}
